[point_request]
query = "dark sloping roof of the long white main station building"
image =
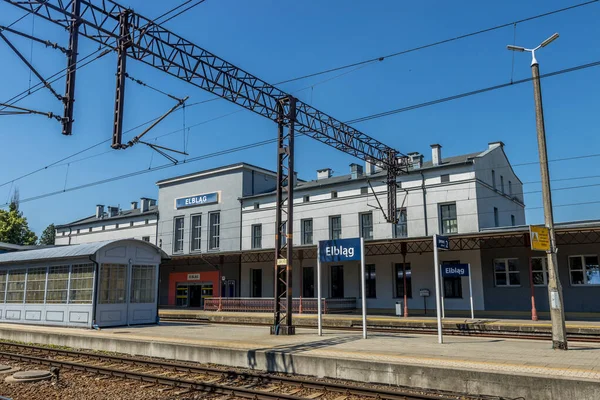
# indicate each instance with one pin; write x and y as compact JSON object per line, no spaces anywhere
{"x":336,"y":180}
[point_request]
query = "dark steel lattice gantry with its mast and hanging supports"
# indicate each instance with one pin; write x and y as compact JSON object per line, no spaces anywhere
{"x":134,"y":36}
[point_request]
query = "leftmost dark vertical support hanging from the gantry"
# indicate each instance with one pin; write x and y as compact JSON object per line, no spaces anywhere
{"x":69,"y":97}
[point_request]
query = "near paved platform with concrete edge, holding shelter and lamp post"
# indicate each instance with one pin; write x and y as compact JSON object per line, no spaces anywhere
{"x":508,"y":368}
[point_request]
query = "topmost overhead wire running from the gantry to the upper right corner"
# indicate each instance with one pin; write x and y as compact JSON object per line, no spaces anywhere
{"x":414,"y":49}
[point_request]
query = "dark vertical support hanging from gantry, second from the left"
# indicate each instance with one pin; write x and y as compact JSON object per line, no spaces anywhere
{"x":124,"y":42}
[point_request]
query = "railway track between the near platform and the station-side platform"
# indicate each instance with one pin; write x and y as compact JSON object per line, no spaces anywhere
{"x":416,"y":330}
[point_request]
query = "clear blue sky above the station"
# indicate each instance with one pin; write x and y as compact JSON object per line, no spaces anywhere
{"x":280,"y":40}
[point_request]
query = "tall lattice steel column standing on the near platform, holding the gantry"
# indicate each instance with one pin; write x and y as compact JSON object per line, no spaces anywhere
{"x":282,"y":324}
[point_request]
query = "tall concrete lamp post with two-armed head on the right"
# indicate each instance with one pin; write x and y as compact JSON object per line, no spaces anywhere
{"x":557,"y":314}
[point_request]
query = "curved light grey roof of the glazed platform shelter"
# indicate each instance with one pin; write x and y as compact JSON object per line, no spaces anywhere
{"x":62,"y":252}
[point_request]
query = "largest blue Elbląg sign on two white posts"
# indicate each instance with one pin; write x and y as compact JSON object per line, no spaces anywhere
{"x":339,"y":251}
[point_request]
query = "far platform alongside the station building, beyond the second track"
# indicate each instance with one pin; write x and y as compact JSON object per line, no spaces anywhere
{"x":452,"y":325}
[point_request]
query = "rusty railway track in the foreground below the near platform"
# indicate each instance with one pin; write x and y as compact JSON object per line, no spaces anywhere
{"x":228,"y":383}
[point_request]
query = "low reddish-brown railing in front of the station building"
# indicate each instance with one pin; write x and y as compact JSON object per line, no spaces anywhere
{"x":266,"y":304}
